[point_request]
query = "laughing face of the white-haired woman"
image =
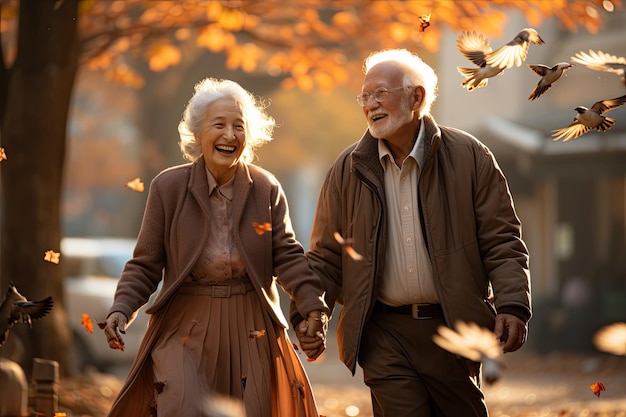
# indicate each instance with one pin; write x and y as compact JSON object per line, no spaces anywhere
{"x":223,"y":137}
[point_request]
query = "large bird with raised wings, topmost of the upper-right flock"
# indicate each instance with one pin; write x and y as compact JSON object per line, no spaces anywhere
{"x":475,"y":47}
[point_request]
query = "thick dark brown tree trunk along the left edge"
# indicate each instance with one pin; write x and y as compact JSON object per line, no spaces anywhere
{"x":34,"y":135}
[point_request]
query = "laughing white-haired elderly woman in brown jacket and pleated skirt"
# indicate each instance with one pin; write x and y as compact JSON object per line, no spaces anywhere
{"x":216,"y":234}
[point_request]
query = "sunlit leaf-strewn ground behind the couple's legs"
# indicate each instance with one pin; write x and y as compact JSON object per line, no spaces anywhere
{"x":532,"y":385}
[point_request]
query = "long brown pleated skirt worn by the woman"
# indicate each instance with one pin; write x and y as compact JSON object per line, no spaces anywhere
{"x":227,"y":347}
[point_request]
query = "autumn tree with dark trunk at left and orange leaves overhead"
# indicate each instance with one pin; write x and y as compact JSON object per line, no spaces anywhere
{"x":306,"y":44}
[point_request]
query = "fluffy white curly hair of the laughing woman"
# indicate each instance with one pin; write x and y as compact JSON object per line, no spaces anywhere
{"x":258,"y":124}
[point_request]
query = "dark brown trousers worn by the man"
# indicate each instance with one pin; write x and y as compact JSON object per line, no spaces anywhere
{"x":409,"y":375}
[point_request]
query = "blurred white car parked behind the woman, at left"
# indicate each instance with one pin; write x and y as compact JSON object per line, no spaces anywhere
{"x":92,"y":267}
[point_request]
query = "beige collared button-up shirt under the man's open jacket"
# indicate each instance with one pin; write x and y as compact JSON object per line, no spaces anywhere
{"x":407,"y":275}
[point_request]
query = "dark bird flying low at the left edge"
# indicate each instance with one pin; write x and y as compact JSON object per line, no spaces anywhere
{"x":16,"y":308}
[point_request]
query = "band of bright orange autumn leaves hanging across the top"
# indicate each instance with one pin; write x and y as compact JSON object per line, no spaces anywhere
{"x":298,"y":40}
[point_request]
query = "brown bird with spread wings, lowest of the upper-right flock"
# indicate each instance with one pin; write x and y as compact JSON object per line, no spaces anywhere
{"x":589,"y":119}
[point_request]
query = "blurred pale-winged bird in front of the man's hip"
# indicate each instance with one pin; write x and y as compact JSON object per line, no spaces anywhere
{"x":474,"y":343}
